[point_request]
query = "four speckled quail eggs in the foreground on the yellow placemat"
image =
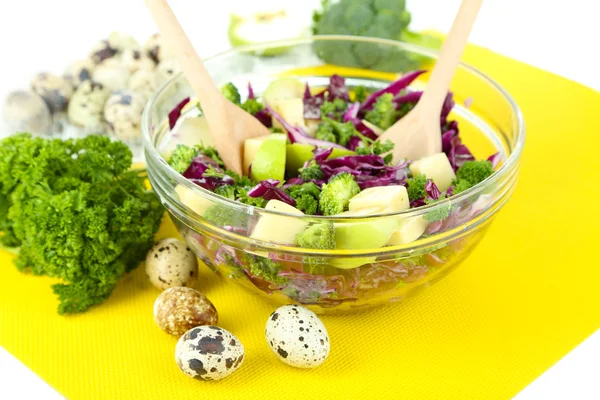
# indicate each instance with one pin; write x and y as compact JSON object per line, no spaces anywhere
{"x":204,"y":350}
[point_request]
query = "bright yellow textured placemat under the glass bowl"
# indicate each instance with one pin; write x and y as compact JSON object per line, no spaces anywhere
{"x":524,"y":298}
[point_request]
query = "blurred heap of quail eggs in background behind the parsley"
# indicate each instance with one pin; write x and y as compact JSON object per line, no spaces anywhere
{"x":104,"y":93}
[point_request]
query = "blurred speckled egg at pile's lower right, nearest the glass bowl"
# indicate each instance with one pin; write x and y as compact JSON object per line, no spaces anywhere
{"x":123,"y":113}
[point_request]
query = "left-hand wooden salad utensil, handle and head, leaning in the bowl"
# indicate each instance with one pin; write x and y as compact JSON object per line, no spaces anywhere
{"x":228,"y":124}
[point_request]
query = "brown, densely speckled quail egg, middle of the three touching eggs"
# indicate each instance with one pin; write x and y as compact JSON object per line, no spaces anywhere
{"x":179,"y":309}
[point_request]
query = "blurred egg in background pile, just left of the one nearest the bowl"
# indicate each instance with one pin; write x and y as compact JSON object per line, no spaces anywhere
{"x":86,"y":108}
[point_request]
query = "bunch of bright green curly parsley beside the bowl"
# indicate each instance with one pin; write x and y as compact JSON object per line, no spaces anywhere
{"x":77,"y":212}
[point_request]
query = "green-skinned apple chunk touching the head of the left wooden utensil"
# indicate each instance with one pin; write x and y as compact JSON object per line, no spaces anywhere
{"x":269,"y":160}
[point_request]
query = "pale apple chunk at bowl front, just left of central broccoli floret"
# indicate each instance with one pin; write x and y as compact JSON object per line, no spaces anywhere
{"x":278,"y":228}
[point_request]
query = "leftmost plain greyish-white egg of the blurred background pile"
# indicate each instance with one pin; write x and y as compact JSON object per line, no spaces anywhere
{"x":26,"y":111}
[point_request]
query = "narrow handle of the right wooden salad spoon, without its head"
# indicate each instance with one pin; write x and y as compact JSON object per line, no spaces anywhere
{"x":452,"y":50}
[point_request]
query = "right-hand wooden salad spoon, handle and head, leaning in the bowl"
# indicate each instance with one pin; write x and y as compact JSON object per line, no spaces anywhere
{"x":418,"y":134}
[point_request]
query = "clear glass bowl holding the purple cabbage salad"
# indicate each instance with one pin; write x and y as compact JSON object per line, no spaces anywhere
{"x":365,"y":272}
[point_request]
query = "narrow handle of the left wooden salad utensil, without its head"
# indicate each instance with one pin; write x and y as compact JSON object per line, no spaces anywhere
{"x":190,"y":62}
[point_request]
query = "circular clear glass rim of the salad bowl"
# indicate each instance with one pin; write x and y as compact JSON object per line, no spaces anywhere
{"x":505,"y":168}
